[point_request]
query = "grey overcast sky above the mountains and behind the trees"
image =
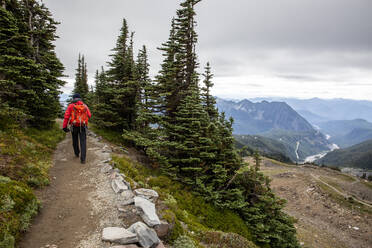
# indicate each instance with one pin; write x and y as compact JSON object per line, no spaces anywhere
{"x":257,"y":48}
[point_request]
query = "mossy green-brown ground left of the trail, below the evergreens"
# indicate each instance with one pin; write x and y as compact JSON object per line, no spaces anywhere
{"x":25,"y":158}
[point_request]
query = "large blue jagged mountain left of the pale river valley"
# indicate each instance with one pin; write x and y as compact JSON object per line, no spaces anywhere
{"x":277,"y":121}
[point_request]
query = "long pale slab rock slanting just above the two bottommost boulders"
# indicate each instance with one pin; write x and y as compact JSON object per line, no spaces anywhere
{"x":148,"y":211}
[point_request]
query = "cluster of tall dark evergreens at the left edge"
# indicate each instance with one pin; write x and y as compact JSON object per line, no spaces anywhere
{"x":31,"y":70}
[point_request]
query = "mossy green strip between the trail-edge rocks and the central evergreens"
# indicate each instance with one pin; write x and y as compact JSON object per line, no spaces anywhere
{"x":206,"y":225}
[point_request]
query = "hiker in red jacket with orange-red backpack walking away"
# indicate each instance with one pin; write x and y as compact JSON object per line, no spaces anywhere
{"x":77,"y":115}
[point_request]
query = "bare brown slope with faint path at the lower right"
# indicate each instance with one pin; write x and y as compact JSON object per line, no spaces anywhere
{"x":319,"y":199}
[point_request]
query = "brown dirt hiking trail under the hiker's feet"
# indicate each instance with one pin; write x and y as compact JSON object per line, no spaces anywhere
{"x":78,"y":203}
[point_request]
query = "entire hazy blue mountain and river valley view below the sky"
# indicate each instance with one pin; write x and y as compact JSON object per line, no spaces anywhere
{"x":304,"y":131}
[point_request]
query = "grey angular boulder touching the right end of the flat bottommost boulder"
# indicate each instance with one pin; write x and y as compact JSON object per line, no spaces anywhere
{"x":146,"y":236}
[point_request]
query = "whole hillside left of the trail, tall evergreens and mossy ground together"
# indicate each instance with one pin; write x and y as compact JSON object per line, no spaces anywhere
{"x":29,"y":104}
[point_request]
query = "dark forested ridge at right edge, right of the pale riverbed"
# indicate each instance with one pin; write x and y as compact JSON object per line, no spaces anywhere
{"x":358,"y":156}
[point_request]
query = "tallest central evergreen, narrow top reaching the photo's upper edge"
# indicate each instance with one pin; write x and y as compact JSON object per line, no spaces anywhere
{"x":180,"y":60}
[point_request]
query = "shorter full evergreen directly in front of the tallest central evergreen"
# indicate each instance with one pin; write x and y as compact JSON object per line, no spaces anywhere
{"x":188,"y":144}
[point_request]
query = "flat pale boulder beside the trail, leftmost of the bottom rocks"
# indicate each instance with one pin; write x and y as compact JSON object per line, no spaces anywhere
{"x":119,"y":235}
